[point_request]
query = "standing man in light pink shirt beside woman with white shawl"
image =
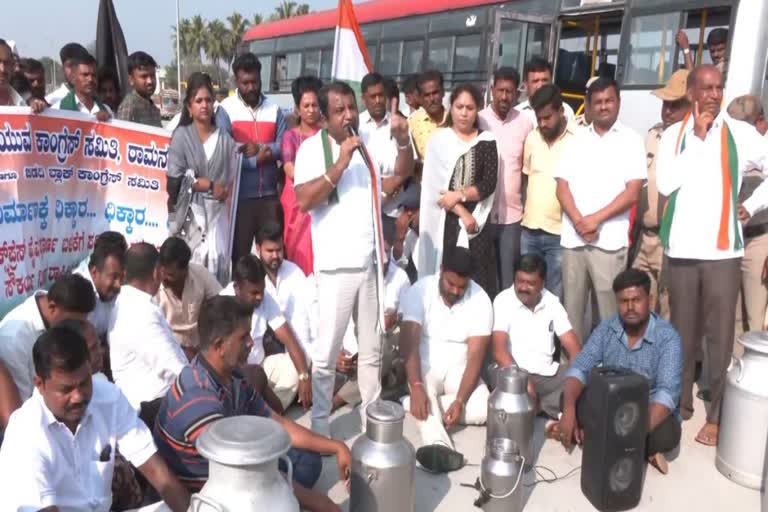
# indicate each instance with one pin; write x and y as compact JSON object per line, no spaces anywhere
{"x":510,"y":128}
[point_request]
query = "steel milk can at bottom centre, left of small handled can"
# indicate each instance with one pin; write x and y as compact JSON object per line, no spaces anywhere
{"x":383,"y":463}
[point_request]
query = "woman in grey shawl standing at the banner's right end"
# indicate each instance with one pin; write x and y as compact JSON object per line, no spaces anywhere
{"x":202,"y":176}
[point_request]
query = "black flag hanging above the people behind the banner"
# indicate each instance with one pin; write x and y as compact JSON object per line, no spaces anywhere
{"x":111,"y":51}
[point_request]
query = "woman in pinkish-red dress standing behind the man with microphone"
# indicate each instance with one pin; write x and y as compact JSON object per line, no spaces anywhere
{"x":297,"y":230}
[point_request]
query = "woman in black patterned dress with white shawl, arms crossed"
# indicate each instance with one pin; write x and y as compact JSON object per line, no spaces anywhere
{"x":458,"y":185}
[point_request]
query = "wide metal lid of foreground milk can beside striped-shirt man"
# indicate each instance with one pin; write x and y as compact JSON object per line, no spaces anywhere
{"x":243,"y":440}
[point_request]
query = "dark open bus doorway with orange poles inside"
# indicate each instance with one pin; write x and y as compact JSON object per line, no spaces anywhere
{"x":589,"y":36}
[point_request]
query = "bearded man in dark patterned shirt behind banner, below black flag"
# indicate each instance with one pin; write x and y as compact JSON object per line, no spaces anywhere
{"x":137,"y":106}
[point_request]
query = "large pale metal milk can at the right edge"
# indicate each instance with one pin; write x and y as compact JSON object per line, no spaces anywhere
{"x":744,"y":415}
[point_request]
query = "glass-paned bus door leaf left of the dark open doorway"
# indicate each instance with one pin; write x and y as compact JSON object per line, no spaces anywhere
{"x":518,"y":37}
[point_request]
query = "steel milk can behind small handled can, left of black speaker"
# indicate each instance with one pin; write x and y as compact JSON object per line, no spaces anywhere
{"x":510,"y":411}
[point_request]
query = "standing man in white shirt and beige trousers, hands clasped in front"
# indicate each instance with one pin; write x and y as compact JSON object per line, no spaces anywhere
{"x":599,"y":178}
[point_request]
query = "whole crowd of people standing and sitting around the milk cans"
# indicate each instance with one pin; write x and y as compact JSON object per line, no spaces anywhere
{"x":402,"y":252}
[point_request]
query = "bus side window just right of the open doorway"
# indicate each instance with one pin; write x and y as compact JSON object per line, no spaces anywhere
{"x":652,"y":49}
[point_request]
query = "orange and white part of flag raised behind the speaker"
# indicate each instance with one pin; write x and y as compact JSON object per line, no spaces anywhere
{"x":350,"y":56}
